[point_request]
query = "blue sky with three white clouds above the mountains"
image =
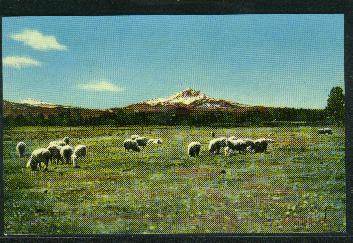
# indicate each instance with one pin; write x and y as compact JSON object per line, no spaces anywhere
{"x":113,"y":61}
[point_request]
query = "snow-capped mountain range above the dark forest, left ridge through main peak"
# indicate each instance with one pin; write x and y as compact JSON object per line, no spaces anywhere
{"x":185,"y":100}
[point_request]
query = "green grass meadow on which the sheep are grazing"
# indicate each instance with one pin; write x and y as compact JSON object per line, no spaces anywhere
{"x":297,"y":186}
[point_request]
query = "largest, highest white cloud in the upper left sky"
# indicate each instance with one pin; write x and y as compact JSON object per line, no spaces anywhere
{"x":38,"y":41}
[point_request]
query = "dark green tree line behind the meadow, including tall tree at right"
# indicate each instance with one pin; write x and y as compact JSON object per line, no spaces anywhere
{"x":257,"y":116}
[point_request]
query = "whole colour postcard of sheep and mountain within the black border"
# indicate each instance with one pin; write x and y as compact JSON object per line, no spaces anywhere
{"x":174,"y":124}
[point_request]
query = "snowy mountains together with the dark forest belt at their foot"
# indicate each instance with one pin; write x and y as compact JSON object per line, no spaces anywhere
{"x":187,"y":107}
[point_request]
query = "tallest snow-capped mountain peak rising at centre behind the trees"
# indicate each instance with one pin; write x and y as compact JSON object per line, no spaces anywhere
{"x":190,"y":99}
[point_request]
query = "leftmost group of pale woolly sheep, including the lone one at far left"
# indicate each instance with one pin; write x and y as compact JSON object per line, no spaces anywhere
{"x":57,"y":151}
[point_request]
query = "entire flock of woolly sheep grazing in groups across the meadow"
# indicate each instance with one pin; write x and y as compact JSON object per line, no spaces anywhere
{"x":61,"y":151}
